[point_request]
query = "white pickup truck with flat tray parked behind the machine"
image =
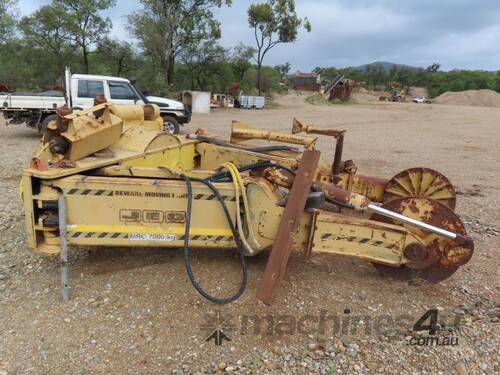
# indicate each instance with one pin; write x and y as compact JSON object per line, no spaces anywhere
{"x":38,"y":109}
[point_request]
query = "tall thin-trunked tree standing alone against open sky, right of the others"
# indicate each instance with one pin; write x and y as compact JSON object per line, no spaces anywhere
{"x":273,"y":22}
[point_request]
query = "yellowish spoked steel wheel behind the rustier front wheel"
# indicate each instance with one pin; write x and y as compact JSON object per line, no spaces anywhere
{"x":421,"y":182}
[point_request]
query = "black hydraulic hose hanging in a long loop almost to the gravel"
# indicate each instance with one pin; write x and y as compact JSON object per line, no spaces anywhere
{"x":236,"y":237}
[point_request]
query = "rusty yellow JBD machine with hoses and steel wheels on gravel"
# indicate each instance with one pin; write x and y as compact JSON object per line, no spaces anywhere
{"x":109,"y":176}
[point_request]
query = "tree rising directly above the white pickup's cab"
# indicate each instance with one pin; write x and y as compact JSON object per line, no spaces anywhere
{"x":85,"y":27}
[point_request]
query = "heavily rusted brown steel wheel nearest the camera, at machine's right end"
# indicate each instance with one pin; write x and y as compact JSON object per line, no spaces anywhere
{"x":445,"y":256}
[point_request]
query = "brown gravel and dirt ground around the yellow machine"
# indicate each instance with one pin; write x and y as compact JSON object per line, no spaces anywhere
{"x":134,"y":310}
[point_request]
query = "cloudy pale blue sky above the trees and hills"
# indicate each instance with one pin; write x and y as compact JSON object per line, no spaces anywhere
{"x":461,"y":34}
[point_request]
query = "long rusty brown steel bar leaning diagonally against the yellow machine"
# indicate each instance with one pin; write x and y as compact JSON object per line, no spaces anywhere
{"x":278,"y":259}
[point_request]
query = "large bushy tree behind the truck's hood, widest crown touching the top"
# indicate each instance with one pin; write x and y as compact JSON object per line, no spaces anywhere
{"x":164,"y":27}
